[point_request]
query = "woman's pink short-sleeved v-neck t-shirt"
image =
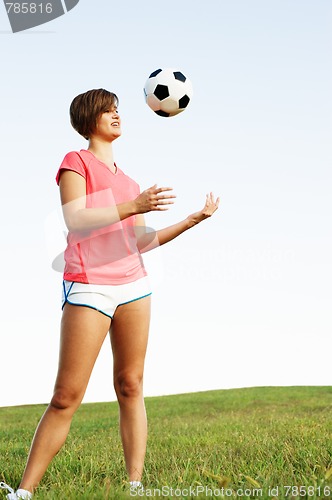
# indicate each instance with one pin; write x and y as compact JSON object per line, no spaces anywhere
{"x":109,"y":255}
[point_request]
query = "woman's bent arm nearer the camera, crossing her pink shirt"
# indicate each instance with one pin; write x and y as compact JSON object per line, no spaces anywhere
{"x":80,"y":218}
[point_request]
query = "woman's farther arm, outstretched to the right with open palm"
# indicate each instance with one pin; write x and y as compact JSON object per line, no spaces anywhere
{"x":148,"y":240}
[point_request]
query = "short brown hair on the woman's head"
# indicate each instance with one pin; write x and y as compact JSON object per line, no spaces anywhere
{"x":86,"y":108}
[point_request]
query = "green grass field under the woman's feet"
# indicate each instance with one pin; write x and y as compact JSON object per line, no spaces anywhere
{"x":230,"y":441}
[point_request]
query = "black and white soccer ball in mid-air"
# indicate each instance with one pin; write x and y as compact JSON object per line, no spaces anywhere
{"x":168,"y":92}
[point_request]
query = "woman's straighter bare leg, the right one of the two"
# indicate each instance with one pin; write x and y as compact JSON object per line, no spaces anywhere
{"x":129,"y":336}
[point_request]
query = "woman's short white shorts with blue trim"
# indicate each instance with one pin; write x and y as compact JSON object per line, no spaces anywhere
{"x":104,"y":298}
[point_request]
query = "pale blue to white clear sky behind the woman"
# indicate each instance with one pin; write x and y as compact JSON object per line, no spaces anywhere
{"x":244,"y":299}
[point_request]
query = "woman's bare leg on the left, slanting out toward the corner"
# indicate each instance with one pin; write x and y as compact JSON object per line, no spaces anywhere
{"x":83,"y":331}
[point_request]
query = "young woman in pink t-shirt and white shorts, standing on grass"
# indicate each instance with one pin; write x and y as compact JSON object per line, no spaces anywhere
{"x":105,"y":287}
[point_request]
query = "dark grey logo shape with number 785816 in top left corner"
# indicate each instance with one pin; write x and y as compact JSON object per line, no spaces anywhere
{"x":25,"y":15}
